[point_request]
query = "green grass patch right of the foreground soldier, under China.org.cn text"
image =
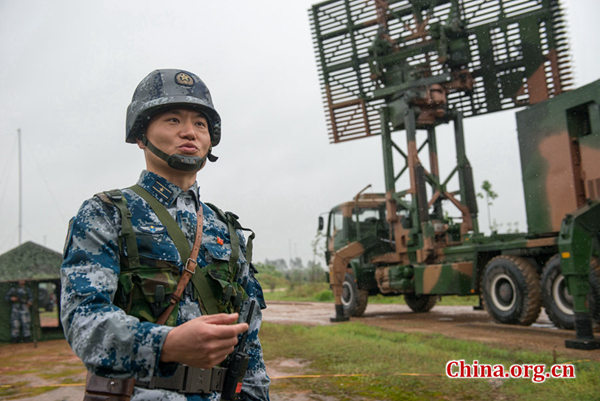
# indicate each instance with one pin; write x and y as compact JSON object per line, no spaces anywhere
{"x":375,"y":364}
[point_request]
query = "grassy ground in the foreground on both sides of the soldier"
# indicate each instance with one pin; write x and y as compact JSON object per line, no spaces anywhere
{"x":344,"y":362}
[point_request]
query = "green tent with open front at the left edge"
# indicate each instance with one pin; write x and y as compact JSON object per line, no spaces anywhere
{"x":40,"y":268}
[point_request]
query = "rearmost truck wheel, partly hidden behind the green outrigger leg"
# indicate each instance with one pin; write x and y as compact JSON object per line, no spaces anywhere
{"x":555,"y":295}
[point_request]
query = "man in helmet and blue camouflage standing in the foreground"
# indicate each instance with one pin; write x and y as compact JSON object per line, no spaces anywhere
{"x":109,"y":305}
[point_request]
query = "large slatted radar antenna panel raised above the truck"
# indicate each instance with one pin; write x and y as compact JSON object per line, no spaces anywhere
{"x":515,"y":53}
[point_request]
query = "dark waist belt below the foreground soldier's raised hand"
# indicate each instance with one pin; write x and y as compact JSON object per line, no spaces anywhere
{"x":189,"y":380}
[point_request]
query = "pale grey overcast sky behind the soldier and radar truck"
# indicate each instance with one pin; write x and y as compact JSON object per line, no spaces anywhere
{"x":68,"y":69}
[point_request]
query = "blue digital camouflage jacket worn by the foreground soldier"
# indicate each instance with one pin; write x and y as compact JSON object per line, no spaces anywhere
{"x":114,"y":344}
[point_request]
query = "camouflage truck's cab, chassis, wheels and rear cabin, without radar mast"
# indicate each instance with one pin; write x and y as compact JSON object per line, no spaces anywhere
{"x":514,"y":273}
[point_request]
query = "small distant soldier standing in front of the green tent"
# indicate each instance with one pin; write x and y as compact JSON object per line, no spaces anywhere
{"x":20,"y":300}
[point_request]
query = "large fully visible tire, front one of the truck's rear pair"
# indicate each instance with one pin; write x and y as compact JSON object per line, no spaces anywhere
{"x":511,"y":290}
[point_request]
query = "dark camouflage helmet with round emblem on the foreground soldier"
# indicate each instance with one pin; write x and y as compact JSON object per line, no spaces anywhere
{"x":166,"y":89}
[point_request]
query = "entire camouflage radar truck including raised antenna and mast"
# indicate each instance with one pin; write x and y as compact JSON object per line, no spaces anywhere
{"x":408,"y":66}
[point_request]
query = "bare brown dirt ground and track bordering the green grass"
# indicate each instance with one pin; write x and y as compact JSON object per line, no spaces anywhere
{"x":455,"y":321}
